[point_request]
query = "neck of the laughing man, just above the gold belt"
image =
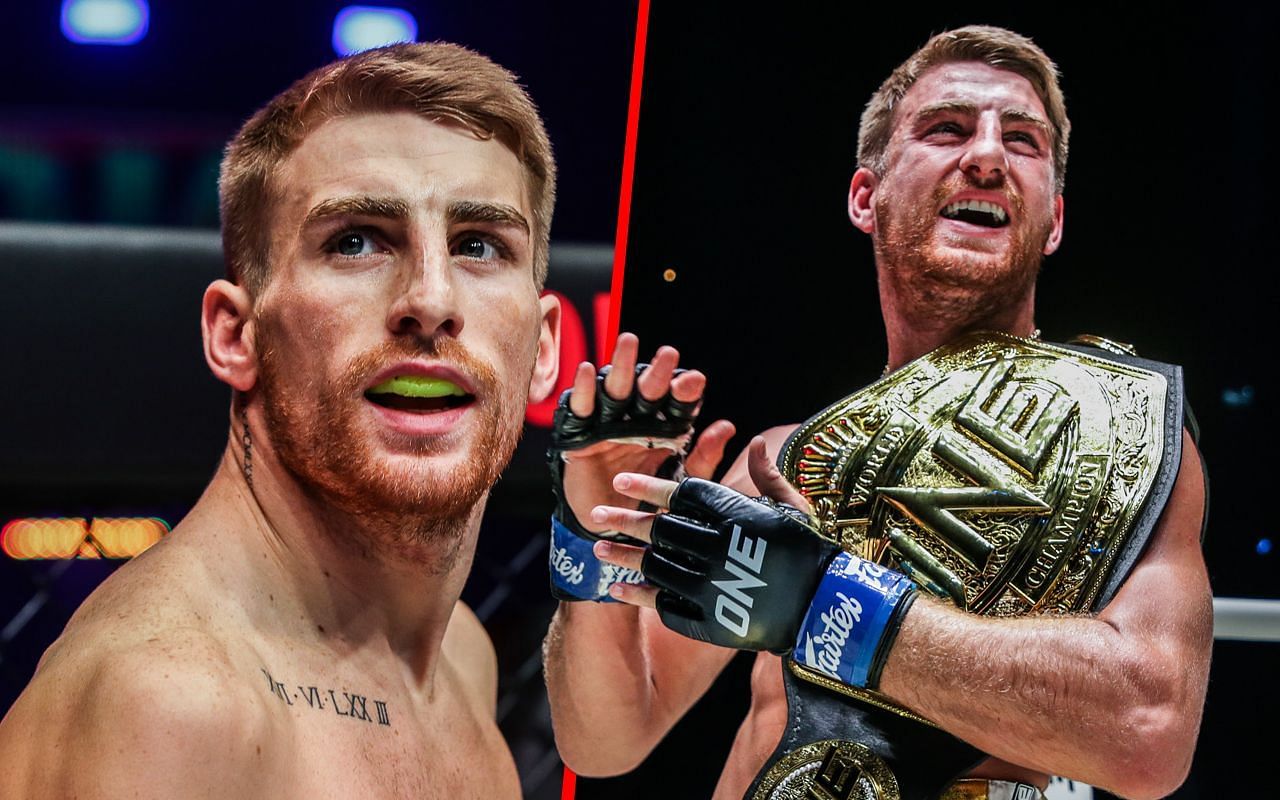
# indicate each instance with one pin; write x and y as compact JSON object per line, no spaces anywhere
{"x":920,"y":322}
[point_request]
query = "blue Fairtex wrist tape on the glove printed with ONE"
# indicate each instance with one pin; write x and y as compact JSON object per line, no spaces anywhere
{"x":847,"y":620}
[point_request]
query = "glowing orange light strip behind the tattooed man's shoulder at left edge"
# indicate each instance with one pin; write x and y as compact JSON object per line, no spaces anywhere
{"x":79,"y":538}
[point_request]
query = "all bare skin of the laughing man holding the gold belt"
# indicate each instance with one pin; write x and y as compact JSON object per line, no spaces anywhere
{"x":1114,"y":701}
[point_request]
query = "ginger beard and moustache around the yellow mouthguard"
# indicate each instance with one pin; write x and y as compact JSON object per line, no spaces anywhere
{"x":314,"y":432}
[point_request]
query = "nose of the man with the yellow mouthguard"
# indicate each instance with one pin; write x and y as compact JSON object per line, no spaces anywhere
{"x":427,"y":301}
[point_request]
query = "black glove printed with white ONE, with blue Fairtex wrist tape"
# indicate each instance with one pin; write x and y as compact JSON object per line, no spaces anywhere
{"x":755,"y":575}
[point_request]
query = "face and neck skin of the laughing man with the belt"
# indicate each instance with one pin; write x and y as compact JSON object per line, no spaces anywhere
{"x":940,"y":277}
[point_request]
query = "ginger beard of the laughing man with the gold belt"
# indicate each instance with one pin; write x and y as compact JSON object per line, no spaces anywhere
{"x":947,"y":285}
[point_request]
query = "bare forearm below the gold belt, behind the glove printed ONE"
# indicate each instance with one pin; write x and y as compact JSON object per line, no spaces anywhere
{"x":1075,"y":697}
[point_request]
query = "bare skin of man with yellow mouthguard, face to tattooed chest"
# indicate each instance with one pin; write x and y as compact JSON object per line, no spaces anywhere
{"x":291,"y":638}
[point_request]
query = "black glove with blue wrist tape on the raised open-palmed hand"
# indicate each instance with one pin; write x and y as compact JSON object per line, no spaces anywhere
{"x":577,"y":574}
